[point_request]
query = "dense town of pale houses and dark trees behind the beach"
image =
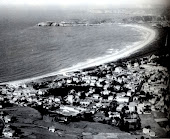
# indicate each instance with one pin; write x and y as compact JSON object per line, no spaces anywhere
{"x":117,"y":94}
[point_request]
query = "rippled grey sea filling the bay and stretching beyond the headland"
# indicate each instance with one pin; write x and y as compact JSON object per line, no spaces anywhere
{"x":27,"y":50}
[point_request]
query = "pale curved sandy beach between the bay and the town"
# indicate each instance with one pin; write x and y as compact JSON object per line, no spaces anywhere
{"x":127,"y":51}
